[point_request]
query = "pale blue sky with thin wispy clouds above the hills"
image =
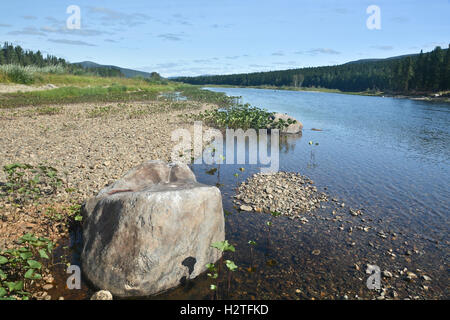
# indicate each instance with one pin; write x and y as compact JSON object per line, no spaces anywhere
{"x":194,"y":37}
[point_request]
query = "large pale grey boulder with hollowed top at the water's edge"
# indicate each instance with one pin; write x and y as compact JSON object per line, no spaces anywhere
{"x":151,"y":230}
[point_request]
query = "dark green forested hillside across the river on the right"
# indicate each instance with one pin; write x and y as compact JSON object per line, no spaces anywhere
{"x":424,"y":72}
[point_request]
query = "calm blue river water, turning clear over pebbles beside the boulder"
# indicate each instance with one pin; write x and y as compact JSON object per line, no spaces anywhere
{"x":388,"y":156}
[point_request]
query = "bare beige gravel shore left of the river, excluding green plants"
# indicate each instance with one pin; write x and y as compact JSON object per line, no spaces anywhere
{"x":91,"y":145}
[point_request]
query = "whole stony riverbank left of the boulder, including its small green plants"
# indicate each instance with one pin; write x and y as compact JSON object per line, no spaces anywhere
{"x":90,"y":145}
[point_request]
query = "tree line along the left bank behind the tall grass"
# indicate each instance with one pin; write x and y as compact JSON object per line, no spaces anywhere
{"x":16,"y":55}
